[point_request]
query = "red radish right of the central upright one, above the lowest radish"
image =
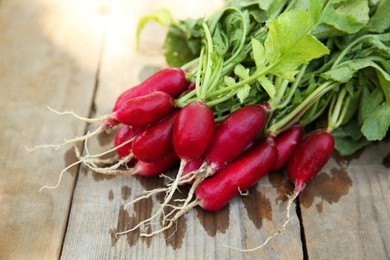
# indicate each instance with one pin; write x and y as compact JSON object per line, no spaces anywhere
{"x":234,"y":134}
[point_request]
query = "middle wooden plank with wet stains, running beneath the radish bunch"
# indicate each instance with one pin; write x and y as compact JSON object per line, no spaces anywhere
{"x":97,"y":209}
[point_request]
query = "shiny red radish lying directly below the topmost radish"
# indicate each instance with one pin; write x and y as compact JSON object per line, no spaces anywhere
{"x":144,"y":110}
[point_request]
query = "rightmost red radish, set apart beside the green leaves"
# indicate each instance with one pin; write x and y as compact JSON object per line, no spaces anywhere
{"x":309,"y":157}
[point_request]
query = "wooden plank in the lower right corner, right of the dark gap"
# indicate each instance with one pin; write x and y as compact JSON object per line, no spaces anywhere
{"x":346,"y":208}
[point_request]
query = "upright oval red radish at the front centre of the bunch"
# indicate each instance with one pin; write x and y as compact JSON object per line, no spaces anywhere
{"x":192,"y":131}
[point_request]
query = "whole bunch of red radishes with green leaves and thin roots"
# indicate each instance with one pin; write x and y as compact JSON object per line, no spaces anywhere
{"x":251,"y":78}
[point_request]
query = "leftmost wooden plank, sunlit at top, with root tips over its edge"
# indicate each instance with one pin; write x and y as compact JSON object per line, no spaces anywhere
{"x":49,"y":52}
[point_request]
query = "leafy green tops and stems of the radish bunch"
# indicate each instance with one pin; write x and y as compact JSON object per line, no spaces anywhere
{"x":289,"y":53}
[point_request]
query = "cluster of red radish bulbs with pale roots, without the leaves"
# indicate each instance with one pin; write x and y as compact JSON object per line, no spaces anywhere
{"x":219,"y":160}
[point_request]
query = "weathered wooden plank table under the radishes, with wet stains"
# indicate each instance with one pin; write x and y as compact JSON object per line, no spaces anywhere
{"x":80,"y":55}
